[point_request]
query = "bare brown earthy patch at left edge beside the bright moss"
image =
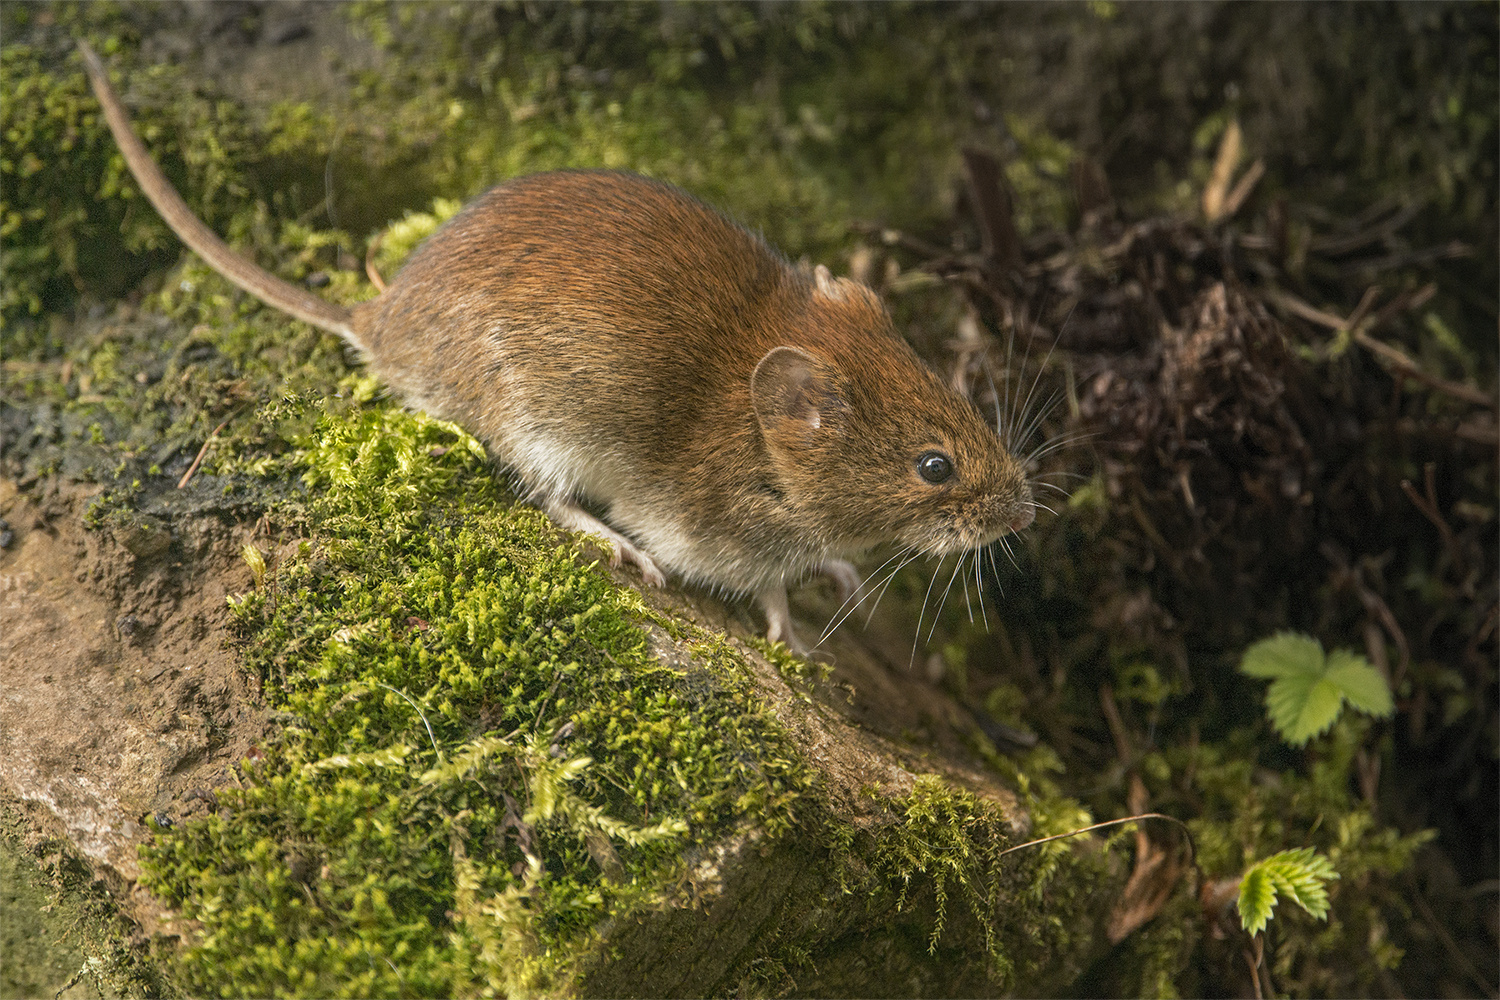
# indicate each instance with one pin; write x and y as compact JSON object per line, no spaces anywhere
{"x":118,"y":696}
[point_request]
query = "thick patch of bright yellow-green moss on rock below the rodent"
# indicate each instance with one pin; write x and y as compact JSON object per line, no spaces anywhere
{"x":484,"y":758}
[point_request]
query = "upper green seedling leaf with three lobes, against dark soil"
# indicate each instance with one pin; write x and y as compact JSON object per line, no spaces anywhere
{"x":1309,"y":689}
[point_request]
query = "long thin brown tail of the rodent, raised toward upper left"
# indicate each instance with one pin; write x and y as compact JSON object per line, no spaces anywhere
{"x":254,"y":280}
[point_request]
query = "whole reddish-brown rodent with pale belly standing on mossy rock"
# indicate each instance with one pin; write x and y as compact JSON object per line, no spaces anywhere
{"x":742,"y":422}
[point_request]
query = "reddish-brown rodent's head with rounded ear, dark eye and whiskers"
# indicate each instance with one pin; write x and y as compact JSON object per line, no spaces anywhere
{"x":872,"y":448}
